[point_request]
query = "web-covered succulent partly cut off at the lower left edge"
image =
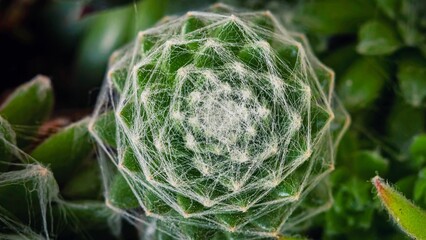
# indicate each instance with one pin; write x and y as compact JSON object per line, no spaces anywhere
{"x":26,"y":192}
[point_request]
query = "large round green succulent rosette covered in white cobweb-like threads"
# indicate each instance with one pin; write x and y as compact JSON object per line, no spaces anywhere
{"x":218,"y":125}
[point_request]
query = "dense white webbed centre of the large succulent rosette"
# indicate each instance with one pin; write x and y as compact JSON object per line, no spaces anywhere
{"x":223,"y":113}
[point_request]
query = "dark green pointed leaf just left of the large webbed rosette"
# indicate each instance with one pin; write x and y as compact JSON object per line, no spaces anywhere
{"x":64,"y":151}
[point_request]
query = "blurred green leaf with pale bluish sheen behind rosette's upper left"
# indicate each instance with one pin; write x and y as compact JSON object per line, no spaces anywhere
{"x":108,"y":30}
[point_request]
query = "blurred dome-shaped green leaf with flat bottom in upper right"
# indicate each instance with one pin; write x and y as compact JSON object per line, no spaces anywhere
{"x":377,"y":38}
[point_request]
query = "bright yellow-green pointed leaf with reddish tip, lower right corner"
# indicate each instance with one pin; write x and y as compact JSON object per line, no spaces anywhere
{"x":410,"y":218}
